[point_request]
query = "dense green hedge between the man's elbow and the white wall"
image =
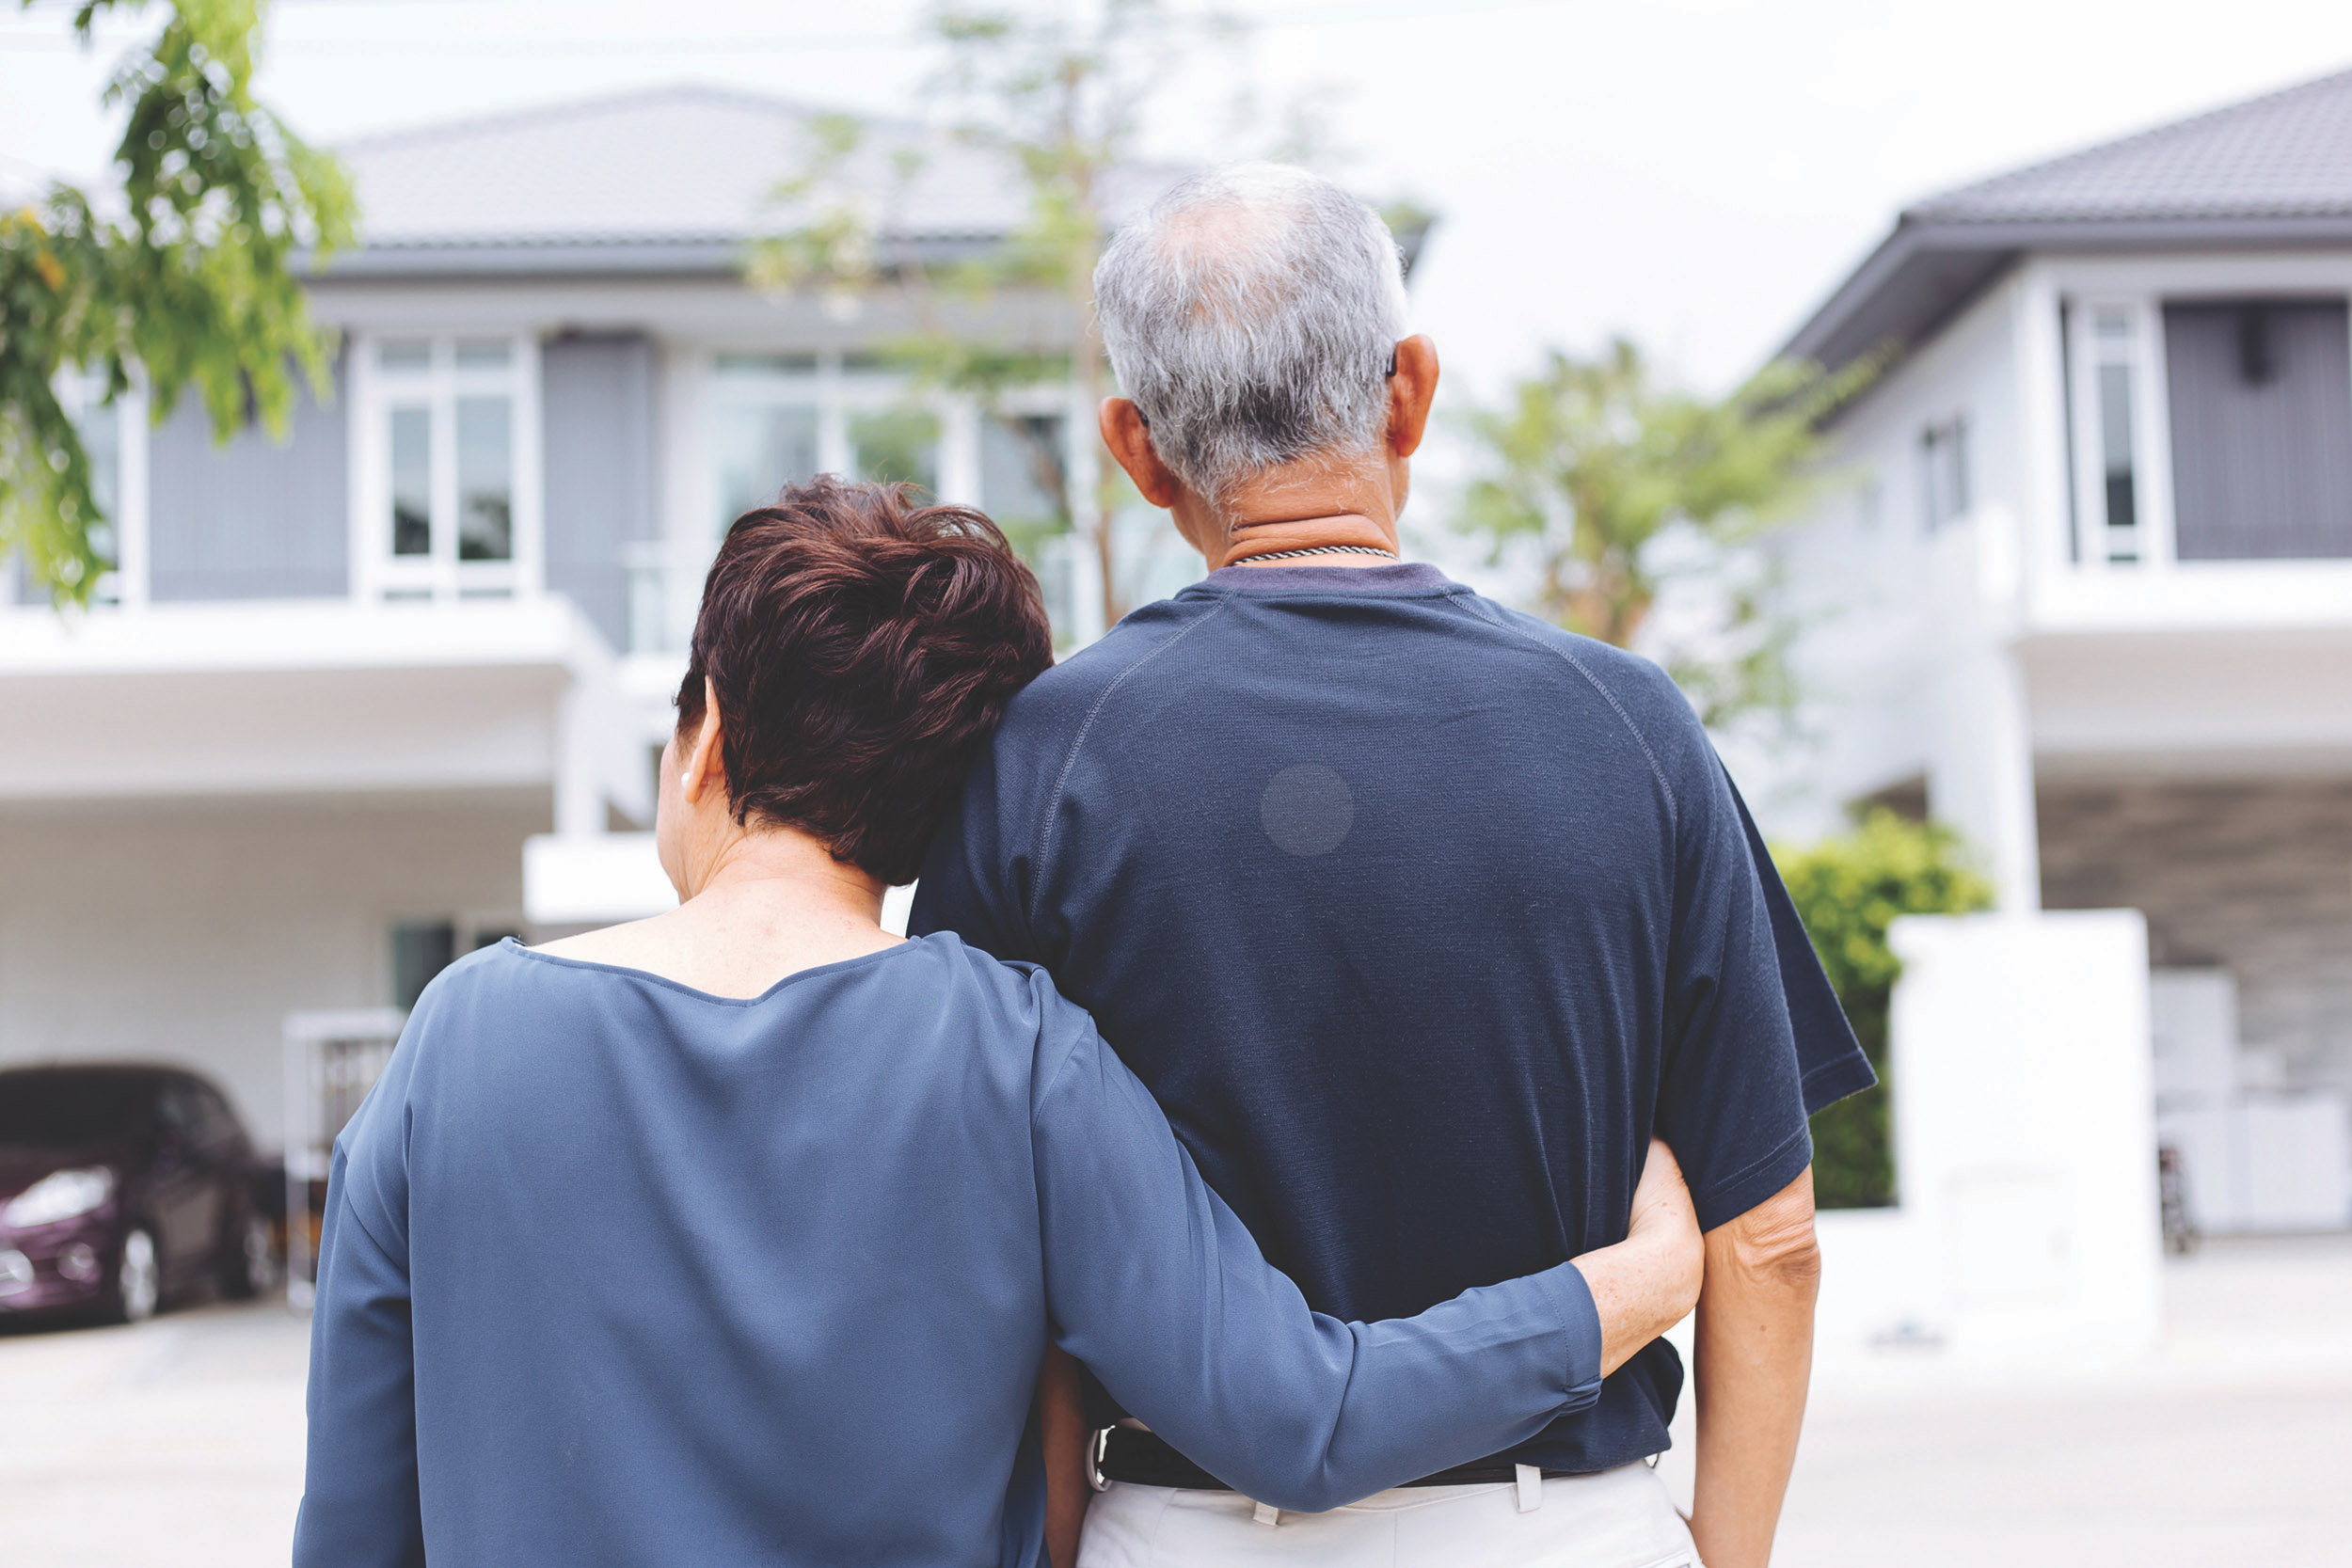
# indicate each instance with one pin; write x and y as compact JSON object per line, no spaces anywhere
{"x":1847,"y":892}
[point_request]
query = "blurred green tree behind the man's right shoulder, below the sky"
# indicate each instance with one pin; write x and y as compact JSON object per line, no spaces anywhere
{"x":1593,"y":469}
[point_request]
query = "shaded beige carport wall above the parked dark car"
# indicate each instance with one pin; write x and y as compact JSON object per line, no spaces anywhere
{"x":189,"y":932}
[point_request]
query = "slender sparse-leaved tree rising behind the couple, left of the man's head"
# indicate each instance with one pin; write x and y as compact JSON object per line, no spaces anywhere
{"x":1062,"y":98}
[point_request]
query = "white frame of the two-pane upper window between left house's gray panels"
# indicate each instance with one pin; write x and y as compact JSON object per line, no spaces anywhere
{"x":441,"y":577}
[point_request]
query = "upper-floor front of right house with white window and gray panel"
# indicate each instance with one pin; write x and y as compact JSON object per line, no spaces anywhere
{"x":2207,"y":443}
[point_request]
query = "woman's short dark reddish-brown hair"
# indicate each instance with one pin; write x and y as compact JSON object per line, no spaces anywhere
{"x":862,"y":650}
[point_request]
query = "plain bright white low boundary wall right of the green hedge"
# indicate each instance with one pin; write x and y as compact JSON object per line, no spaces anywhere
{"x":2026,"y":1153}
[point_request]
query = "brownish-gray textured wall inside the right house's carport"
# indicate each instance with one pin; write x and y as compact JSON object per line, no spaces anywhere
{"x":2252,"y":878}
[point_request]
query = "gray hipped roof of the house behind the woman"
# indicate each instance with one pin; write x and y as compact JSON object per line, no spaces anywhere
{"x":671,"y":182}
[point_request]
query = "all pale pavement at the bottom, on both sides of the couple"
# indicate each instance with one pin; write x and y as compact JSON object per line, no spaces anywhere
{"x":180,"y":1442}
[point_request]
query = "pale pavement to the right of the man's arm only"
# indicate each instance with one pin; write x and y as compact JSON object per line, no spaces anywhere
{"x":2231,"y":1445}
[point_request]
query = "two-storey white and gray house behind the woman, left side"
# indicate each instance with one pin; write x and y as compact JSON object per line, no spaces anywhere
{"x":338,"y":685}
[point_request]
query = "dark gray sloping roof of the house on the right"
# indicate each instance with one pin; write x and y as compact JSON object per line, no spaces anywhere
{"x":2273,"y":170}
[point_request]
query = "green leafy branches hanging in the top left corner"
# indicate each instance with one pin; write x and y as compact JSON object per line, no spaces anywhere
{"x":185,"y":272}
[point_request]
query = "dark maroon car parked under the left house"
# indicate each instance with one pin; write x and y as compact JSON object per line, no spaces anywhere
{"x":123,"y":1188}
